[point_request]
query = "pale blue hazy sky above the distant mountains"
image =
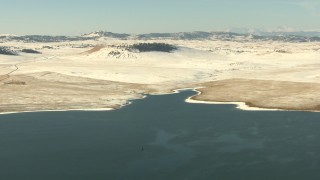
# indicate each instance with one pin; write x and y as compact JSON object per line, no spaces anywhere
{"x":74,"y":17}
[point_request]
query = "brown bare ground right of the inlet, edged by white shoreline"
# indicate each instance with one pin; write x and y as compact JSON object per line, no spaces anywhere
{"x":263,"y":93}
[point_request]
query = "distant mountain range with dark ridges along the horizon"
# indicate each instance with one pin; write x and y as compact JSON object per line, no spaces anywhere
{"x":299,"y":36}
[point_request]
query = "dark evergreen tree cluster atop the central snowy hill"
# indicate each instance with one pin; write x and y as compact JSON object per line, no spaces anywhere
{"x":147,"y":47}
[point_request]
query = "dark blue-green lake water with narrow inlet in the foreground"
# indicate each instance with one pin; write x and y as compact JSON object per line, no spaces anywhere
{"x":161,"y":137}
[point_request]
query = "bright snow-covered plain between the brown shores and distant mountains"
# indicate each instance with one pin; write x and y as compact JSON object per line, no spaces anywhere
{"x":195,"y":62}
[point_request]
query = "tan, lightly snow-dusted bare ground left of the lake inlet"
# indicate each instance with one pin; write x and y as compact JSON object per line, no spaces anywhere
{"x":53,"y":91}
